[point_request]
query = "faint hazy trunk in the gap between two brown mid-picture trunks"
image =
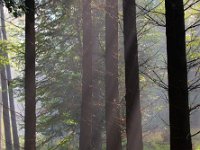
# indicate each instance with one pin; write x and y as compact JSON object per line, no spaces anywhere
{"x":97,"y":87}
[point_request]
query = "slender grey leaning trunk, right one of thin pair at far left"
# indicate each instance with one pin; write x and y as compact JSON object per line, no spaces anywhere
{"x":9,"y":80}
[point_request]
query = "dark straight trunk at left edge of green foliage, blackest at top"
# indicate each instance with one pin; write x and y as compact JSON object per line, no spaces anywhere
{"x":30,"y":87}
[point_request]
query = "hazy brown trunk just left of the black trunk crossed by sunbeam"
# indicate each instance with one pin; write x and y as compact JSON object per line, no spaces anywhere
{"x":113,"y":131}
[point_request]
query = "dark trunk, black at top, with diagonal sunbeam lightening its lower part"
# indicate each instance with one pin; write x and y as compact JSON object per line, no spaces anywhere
{"x":133,"y":114}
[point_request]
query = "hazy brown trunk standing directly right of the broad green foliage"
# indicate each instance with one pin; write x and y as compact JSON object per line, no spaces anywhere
{"x":86,"y":106}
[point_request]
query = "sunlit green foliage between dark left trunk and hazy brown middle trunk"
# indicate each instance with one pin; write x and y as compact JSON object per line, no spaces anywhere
{"x":58,"y":74}
